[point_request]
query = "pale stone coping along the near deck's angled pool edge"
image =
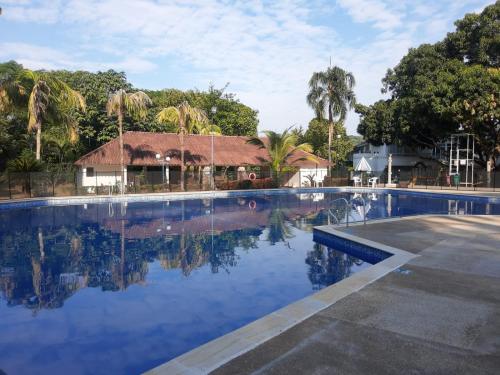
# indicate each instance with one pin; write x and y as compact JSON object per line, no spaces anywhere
{"x":215,"y":353}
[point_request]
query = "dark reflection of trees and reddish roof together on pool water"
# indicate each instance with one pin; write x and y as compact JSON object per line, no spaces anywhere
{"x":79,"y":247}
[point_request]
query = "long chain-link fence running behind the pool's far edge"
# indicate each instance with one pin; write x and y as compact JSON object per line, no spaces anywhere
{"x":58,"y":184}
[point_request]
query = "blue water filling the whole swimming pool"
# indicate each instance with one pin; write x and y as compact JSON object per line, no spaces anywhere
{"x":114,"y":288}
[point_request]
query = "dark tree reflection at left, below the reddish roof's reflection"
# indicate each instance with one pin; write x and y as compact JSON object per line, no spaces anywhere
{"x":43,"y":269}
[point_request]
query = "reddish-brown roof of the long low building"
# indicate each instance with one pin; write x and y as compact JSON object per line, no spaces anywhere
{"x":140,"y":148}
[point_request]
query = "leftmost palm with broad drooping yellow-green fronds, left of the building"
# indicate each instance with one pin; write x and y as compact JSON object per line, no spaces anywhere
{"x":48,"y":97}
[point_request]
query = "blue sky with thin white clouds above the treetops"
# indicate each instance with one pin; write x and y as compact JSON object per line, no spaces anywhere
{"x":266,"y":50}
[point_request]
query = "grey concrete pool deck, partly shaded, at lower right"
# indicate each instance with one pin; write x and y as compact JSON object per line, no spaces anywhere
{"x":439,"y":313}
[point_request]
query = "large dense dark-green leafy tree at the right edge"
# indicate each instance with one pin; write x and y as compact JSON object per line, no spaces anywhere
{"x":436,"y":89}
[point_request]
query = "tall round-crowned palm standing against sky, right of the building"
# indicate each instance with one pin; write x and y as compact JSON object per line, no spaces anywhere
{"x":331,"y":93}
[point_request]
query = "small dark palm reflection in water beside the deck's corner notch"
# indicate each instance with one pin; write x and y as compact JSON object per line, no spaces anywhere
{"x":328,"y":266}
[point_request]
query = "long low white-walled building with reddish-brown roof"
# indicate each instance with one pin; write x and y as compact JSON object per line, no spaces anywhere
{"x":156,"y":157}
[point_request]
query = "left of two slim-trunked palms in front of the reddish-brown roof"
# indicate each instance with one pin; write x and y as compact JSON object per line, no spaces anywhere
{"x":134,"y":104}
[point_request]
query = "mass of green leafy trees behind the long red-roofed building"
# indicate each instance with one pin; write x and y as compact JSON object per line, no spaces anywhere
{"x":94,"y":125}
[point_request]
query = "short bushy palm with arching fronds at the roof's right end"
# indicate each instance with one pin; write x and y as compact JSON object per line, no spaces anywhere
{"x":280,"y":148}
